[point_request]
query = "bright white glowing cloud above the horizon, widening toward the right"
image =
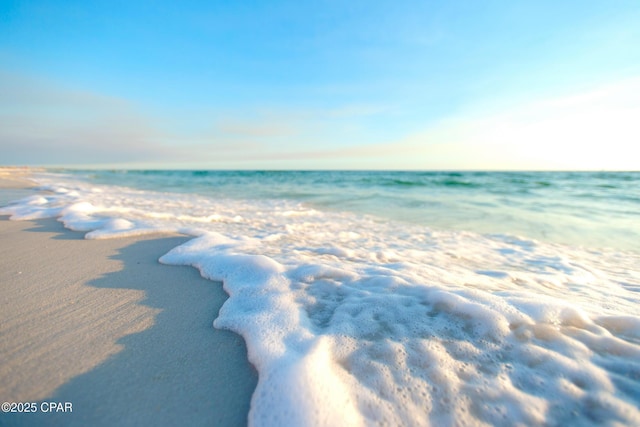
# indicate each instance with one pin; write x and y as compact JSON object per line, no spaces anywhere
{"x":595,"y":129}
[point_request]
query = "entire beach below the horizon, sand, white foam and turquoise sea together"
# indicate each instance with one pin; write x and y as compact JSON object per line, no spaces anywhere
{"x":357,"y":298}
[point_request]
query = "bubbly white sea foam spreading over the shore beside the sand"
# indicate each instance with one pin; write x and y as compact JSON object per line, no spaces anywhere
{"x":354,"y":320}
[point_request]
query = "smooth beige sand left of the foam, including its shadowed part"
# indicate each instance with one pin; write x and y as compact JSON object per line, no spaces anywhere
{"x":102,"y":325}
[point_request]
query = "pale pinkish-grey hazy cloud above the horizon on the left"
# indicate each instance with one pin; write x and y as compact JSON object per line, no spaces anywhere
{"x":42,"y":122}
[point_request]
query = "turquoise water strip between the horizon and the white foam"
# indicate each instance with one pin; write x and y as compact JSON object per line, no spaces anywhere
{"x":591,"y":209}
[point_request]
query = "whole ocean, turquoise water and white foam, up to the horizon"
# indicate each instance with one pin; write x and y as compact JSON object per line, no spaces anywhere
{"x":400,"y":298}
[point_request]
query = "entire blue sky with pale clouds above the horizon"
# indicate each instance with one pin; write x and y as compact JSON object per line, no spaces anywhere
{"x":455,"y":85}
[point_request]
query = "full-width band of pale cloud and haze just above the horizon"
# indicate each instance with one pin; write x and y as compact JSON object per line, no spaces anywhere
{"x":44,"y":123}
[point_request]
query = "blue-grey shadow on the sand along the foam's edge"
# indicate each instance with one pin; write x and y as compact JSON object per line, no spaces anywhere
{"x":180,"y":371}
